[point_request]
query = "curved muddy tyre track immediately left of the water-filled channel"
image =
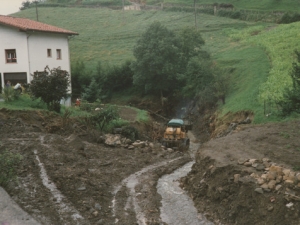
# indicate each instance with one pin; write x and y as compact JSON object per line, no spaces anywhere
{"x":142,"y":201}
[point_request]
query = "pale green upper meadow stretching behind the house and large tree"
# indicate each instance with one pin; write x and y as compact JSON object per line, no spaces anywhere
{"x":109,"y":35}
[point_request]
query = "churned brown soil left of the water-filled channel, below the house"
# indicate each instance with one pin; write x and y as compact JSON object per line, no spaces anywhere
{"x":69,"y":176}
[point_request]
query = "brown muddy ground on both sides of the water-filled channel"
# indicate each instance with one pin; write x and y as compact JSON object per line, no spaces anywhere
{"x":89,"y":182}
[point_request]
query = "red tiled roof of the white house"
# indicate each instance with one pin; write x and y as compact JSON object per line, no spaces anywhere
{"x":31,"y":25}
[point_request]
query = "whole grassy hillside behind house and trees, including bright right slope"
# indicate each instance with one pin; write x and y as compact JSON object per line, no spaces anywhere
{"x":250,"y":50}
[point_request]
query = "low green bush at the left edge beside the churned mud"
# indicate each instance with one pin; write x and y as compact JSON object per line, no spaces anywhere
{"x":8,"y":162}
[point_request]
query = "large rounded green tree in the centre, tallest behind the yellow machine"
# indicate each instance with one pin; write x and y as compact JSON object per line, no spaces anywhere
{"x":157,"y":55}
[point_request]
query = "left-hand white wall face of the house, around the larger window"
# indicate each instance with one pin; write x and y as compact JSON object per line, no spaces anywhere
{"x":11,"y":38}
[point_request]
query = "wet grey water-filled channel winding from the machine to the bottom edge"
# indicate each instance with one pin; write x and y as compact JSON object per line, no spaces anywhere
{"x":177,"y":207}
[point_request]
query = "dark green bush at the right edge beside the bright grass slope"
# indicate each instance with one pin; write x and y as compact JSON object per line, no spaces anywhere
{"x":291,"y":98}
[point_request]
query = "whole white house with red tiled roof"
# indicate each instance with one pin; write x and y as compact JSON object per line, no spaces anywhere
{"x":28,"y":46}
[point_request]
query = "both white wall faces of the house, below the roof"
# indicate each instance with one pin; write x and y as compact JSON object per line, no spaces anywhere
{"x":31,"y":49}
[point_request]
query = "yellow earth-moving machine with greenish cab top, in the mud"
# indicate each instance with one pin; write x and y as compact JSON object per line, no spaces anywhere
{"x":175,"y":135}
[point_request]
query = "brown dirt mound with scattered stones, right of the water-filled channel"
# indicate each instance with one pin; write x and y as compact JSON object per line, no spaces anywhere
{"x":250,"y":176}
